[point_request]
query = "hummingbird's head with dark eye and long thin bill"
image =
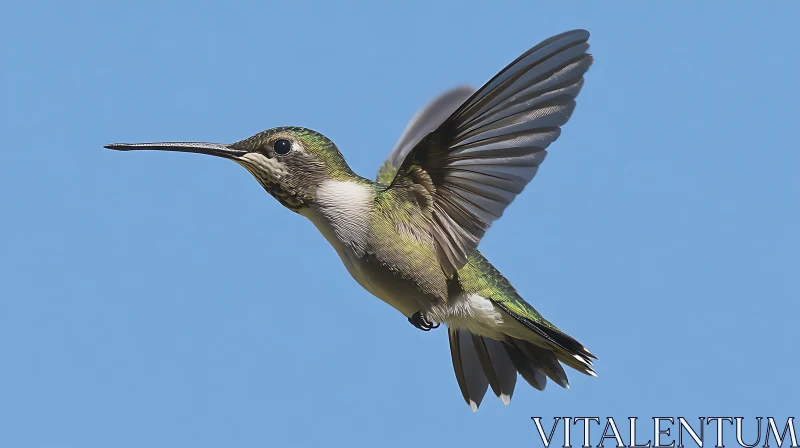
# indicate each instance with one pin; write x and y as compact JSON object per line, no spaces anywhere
{"x":289,"y":162}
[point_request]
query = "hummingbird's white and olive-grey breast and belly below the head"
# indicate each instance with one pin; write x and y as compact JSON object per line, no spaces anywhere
{"x":381,"y":242}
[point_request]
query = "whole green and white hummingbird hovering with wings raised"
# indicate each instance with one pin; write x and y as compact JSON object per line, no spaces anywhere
{"x":410,"y":237}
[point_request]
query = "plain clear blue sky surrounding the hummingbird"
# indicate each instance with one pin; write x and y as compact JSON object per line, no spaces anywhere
{"x":163,"y":300}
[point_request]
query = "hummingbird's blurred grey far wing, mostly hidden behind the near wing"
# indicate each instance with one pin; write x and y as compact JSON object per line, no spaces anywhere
{"x":425,"y":121}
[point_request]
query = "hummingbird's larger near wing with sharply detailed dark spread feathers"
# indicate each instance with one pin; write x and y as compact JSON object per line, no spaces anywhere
{"x":481,"y":157}
